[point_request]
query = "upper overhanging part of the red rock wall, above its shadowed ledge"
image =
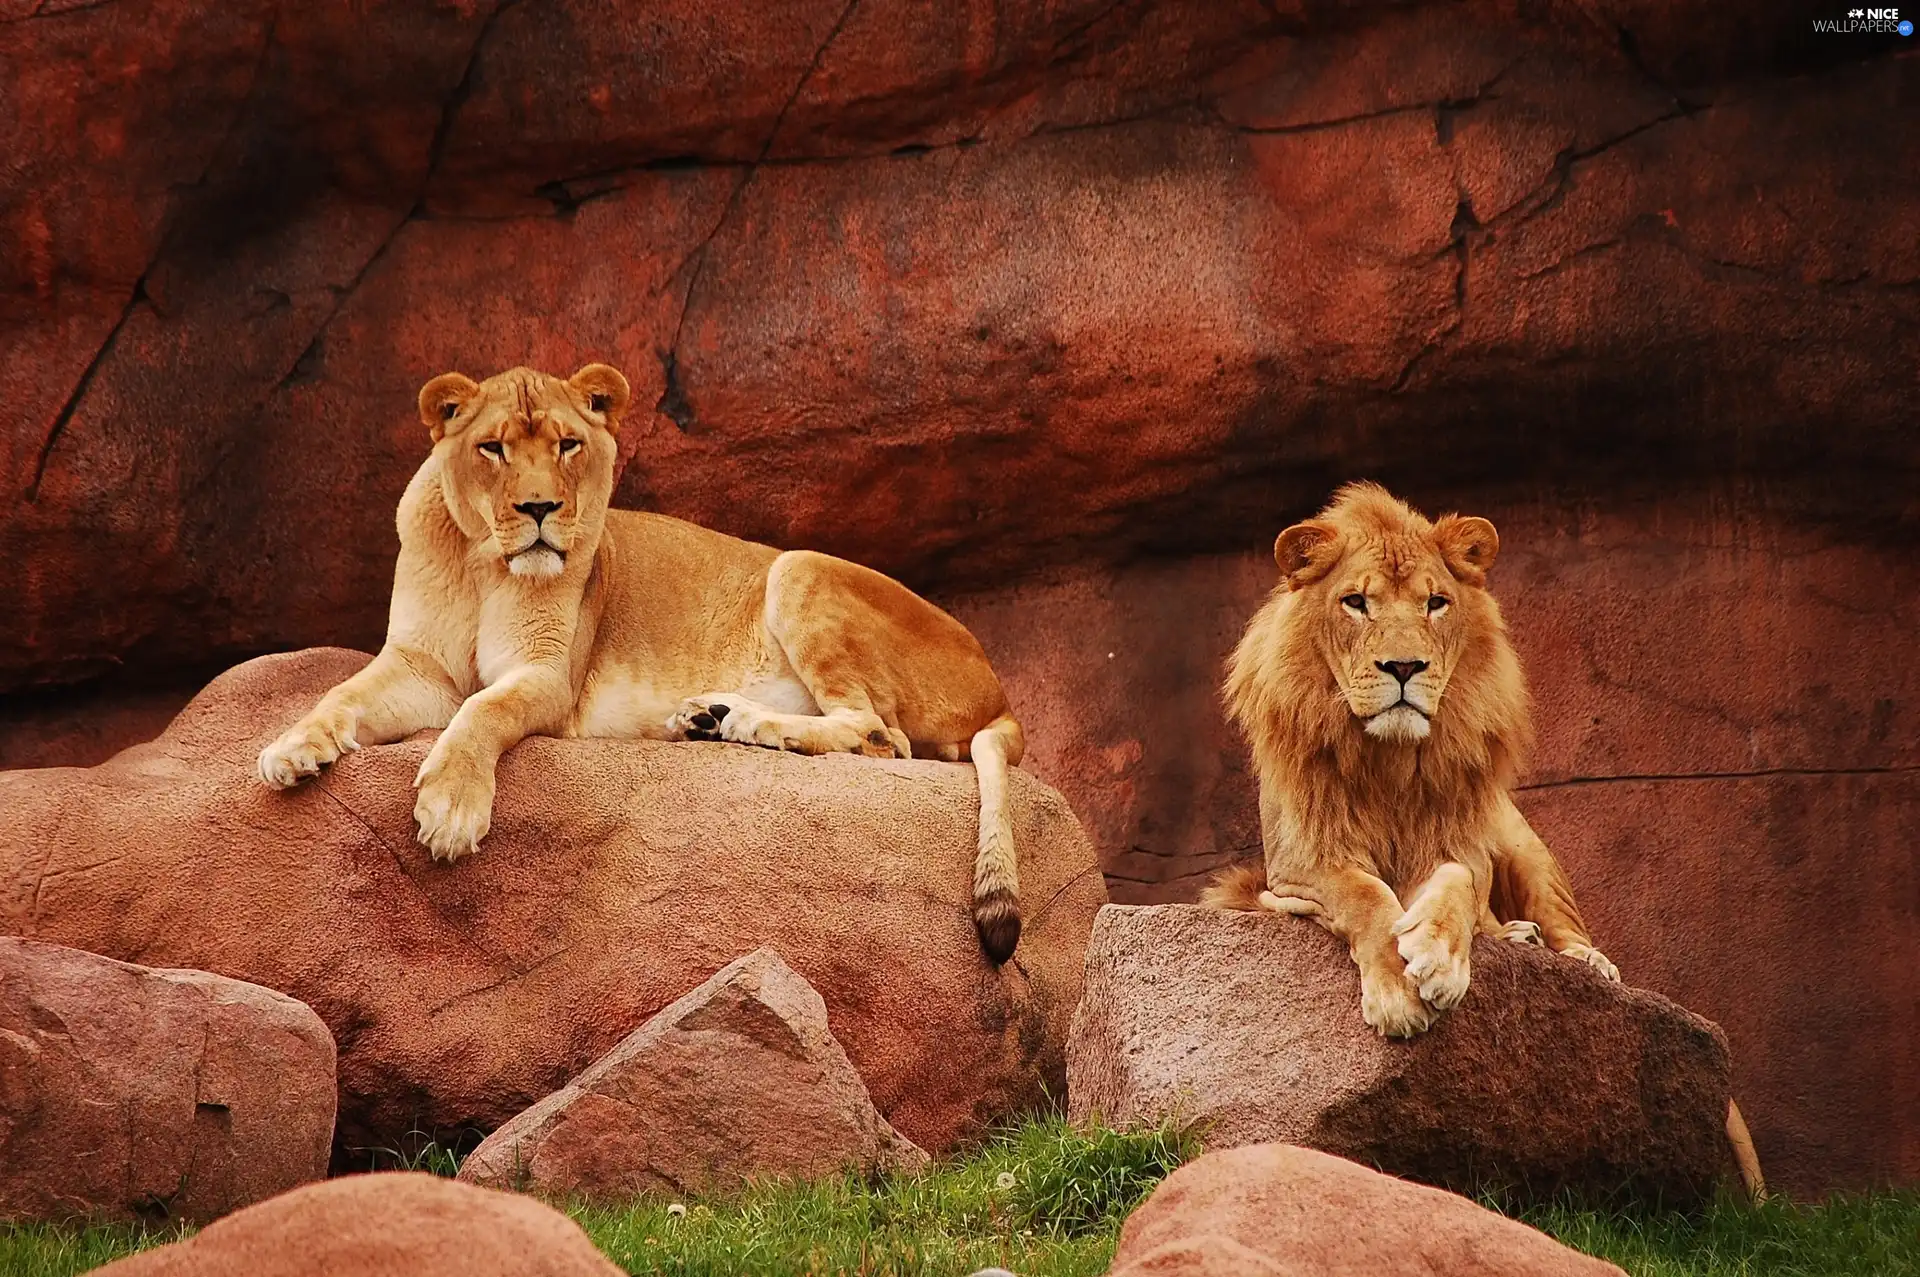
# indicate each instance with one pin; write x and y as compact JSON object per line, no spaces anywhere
{"x":955,"y":293}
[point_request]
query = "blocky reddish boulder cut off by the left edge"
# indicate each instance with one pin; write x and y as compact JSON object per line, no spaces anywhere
{"x":137,"y":1094}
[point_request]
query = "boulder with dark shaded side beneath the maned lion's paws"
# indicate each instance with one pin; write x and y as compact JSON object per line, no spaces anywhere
{"x":1547,"y":1078}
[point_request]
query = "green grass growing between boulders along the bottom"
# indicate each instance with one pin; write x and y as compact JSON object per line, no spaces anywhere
{"x":1047,"y":1201}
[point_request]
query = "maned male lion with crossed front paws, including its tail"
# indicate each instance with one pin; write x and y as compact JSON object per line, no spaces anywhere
{"x":1389,"y":717}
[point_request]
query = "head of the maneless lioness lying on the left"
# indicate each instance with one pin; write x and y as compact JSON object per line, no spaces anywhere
{"x":531,"y":460}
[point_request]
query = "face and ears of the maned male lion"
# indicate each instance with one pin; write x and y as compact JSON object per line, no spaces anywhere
{"x":1393,"y":614}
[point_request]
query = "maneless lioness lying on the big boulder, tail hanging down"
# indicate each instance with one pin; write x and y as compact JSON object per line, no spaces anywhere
{"x":525,"y":606}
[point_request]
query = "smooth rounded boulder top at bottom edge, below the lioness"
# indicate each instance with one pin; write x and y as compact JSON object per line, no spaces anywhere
{"x":381,"y":1226}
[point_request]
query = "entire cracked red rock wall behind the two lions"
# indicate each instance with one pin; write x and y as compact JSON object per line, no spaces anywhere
{"x":1059,"y":302}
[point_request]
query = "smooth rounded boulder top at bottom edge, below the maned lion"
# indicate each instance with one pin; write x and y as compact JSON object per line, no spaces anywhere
{"x":1293,"y":1213}
